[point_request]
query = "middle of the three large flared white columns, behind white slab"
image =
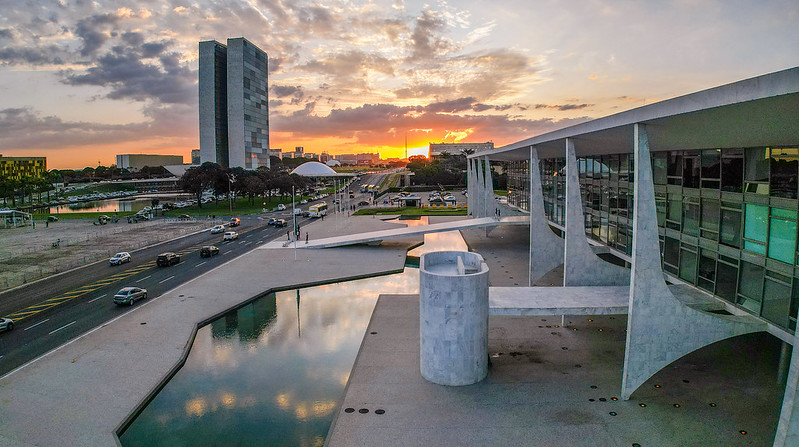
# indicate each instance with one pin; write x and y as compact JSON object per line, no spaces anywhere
{"x":582,"y":267}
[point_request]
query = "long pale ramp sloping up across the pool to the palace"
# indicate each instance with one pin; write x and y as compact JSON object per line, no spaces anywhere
{"x":396,"y":233}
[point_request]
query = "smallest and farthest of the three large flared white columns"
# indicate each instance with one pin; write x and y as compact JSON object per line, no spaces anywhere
{"x":546,"y":248}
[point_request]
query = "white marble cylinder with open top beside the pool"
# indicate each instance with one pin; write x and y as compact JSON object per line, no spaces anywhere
{"x":453,"y":313}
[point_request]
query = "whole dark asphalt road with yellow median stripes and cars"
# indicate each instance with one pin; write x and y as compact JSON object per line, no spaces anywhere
{"x":51,"y":312}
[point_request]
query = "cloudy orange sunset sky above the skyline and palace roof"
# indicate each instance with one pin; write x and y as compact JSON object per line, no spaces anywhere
{"x":81,"y":81}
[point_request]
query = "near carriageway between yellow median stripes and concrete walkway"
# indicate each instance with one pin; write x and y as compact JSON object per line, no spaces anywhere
{"x":80,"y":316}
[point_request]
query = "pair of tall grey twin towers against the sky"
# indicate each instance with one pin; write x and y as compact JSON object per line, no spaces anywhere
{"x":234,"y":107}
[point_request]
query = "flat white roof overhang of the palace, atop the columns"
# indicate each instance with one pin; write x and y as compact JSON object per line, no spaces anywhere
{"x":760,"y":111}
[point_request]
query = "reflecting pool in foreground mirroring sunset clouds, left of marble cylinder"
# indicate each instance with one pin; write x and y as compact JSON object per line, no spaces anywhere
{"x":269,"y":373}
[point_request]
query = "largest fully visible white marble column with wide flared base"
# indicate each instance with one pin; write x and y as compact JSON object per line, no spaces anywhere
{"x":660,"y":328}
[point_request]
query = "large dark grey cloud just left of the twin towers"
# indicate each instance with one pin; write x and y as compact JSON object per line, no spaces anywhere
{"x":123,"y":71}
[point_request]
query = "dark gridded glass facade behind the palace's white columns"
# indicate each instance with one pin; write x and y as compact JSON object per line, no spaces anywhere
{"x":727,"y":218}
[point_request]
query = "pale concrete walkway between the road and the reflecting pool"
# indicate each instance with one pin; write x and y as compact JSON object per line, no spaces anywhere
{"x":79,"y":394}
